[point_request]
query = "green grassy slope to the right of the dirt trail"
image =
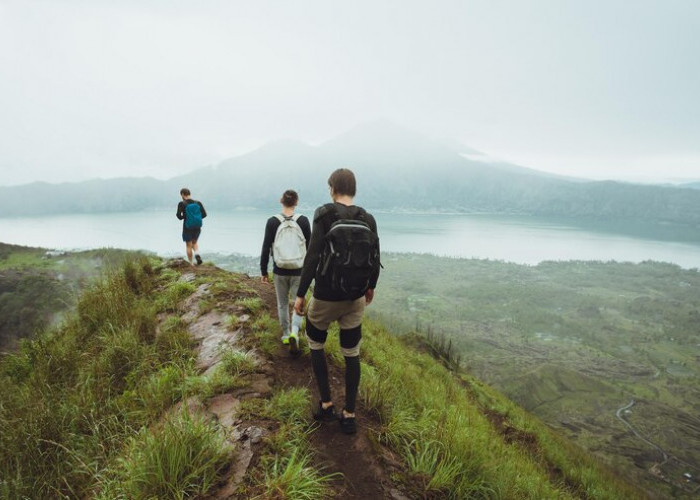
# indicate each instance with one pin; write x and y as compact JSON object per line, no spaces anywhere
{"x":451,"y":448}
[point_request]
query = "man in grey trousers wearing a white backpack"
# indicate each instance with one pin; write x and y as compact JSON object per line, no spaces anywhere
{"x":286,"y":239}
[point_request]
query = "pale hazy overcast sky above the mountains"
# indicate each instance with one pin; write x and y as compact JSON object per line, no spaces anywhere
{"x":593,"y":88}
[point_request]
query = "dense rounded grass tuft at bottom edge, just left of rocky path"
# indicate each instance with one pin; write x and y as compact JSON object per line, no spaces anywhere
{"x":184,"y":458}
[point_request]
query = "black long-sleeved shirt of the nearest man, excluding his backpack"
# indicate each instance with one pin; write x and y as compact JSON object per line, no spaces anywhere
{"x":324,"y":217}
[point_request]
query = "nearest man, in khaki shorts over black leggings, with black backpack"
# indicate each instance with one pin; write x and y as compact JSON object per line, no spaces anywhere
{"x":343,"y":258}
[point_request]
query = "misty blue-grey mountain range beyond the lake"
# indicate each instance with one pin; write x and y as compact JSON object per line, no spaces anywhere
{"x":396,"y":169}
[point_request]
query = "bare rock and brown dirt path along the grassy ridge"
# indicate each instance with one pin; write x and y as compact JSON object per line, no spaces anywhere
{"x":364,"y":465}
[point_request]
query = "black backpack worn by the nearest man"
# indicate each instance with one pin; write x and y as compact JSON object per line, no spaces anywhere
{"x":350,"y":255}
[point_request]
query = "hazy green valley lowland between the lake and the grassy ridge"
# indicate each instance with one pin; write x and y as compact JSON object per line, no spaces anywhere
{"x":573,"y":343}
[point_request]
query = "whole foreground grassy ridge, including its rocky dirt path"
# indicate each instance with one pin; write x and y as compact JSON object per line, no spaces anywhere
{"x":169,"y":382}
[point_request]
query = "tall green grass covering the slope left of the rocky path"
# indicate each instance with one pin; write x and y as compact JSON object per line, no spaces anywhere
{"x":79,"y":392}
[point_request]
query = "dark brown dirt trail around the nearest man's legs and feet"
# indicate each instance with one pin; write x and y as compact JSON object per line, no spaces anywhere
{"x":365,"y":476}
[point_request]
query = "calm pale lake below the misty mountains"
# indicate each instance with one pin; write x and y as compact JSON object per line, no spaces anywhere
{"x":515,"y":239}
